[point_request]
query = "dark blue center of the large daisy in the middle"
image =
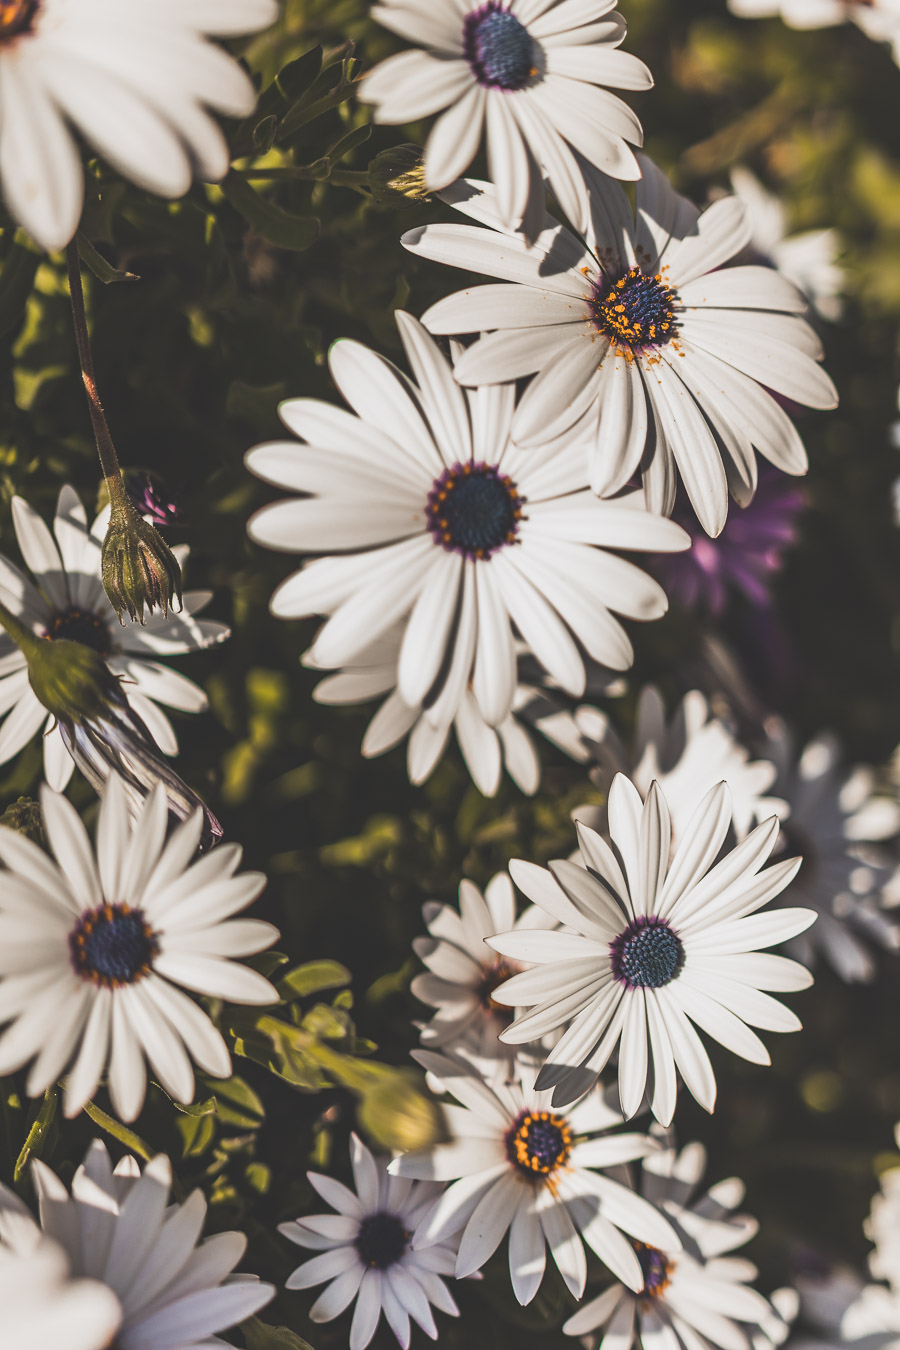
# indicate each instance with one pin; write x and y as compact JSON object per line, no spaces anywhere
{"x":474,"y":510}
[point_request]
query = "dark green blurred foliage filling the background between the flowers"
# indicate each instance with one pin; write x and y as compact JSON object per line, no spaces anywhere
{"x":194,"y":357}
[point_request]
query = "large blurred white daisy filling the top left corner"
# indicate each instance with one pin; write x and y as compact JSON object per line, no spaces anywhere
{"x":134,"y":80}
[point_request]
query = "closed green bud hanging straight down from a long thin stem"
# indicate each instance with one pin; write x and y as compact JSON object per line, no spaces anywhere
{"x":138,"y":566}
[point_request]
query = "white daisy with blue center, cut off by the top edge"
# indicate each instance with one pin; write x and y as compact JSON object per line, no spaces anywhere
{"x":531,"y":79}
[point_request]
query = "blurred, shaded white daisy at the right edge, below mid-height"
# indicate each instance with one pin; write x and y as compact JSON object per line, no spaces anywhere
{"x":839,"y":823}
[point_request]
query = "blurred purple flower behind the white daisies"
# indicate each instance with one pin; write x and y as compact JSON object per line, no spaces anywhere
{"x":746,"y":557}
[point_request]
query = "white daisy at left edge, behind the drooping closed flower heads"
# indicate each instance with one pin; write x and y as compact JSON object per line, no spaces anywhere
{"x":67,"y":599}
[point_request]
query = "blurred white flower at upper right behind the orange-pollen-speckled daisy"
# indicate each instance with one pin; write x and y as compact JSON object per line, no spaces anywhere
{"x":808,"y":260}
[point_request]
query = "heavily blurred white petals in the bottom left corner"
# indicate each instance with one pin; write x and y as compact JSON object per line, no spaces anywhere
{"x":43,"y":1305}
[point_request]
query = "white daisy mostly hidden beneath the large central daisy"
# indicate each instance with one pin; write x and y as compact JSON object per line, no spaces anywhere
{"x":486,"y":750}
